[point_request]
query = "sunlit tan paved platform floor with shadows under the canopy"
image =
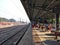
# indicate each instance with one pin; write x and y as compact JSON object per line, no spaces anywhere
{"x":43,"y":38}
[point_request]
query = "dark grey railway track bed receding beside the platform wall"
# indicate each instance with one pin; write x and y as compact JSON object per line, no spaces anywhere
{"x":12,"y":35}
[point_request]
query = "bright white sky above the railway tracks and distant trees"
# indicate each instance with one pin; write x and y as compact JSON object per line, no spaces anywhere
{"x":13,"y":9}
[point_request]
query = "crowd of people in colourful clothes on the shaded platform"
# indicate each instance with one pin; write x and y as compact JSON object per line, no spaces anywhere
{"x":43,"y":26}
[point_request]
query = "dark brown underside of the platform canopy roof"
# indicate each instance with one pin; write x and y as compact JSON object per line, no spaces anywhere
{"x":41,"y":8}
